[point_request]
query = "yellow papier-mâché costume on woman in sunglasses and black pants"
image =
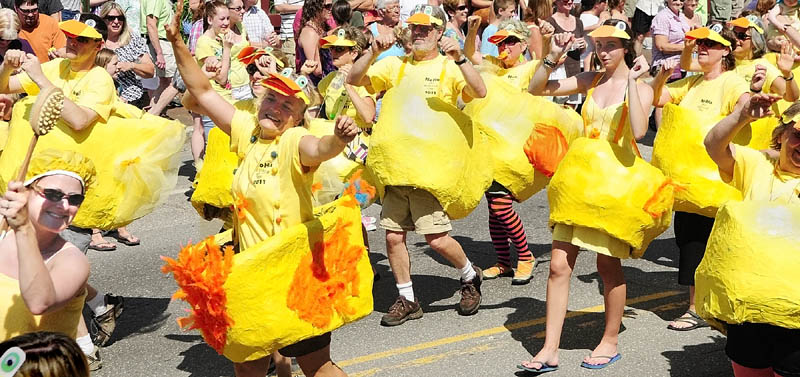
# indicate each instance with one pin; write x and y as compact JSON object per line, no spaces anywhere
{"x":679,"y":151}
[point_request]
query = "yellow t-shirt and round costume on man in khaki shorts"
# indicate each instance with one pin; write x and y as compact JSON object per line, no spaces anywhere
{"x":421,"y":139}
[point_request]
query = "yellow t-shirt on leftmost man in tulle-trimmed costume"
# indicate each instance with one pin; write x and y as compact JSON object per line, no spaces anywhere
{"x":93,"y":89}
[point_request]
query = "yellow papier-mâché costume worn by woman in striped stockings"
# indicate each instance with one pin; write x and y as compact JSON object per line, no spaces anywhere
{"x":508,"y":117}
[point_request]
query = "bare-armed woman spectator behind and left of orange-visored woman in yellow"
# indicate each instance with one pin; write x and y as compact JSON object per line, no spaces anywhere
{"x":315,"y":14}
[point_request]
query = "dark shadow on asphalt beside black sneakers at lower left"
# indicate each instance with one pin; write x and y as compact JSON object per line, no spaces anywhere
{"x":142,"y":315}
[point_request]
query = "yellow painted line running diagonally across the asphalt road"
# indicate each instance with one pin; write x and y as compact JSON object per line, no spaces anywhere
{"x":494,"y":330}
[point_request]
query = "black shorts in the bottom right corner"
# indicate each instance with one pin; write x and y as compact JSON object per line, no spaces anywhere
{"x":759,"y":346}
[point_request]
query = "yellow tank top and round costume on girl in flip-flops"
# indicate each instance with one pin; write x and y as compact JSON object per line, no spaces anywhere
{"x":604,"y":197}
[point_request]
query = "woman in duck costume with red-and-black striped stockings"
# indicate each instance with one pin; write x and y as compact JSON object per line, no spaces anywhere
{"x":515,"y":179}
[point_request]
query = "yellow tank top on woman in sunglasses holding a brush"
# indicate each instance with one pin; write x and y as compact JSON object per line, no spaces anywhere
{"x":19,"y":320}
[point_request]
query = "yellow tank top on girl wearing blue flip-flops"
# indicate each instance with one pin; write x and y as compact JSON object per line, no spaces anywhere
{"x":610,"y":123}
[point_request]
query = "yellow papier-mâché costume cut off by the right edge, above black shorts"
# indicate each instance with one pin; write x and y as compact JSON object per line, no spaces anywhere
{"x":749,"y":271}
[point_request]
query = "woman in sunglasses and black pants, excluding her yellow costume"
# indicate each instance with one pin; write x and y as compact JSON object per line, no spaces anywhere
{"x":716,"y":91}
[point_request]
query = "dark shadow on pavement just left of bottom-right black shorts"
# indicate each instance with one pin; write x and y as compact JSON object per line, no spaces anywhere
{"x":707,"y":359}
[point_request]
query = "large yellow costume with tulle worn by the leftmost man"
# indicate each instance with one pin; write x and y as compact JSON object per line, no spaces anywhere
{"x":135,"y":154}
